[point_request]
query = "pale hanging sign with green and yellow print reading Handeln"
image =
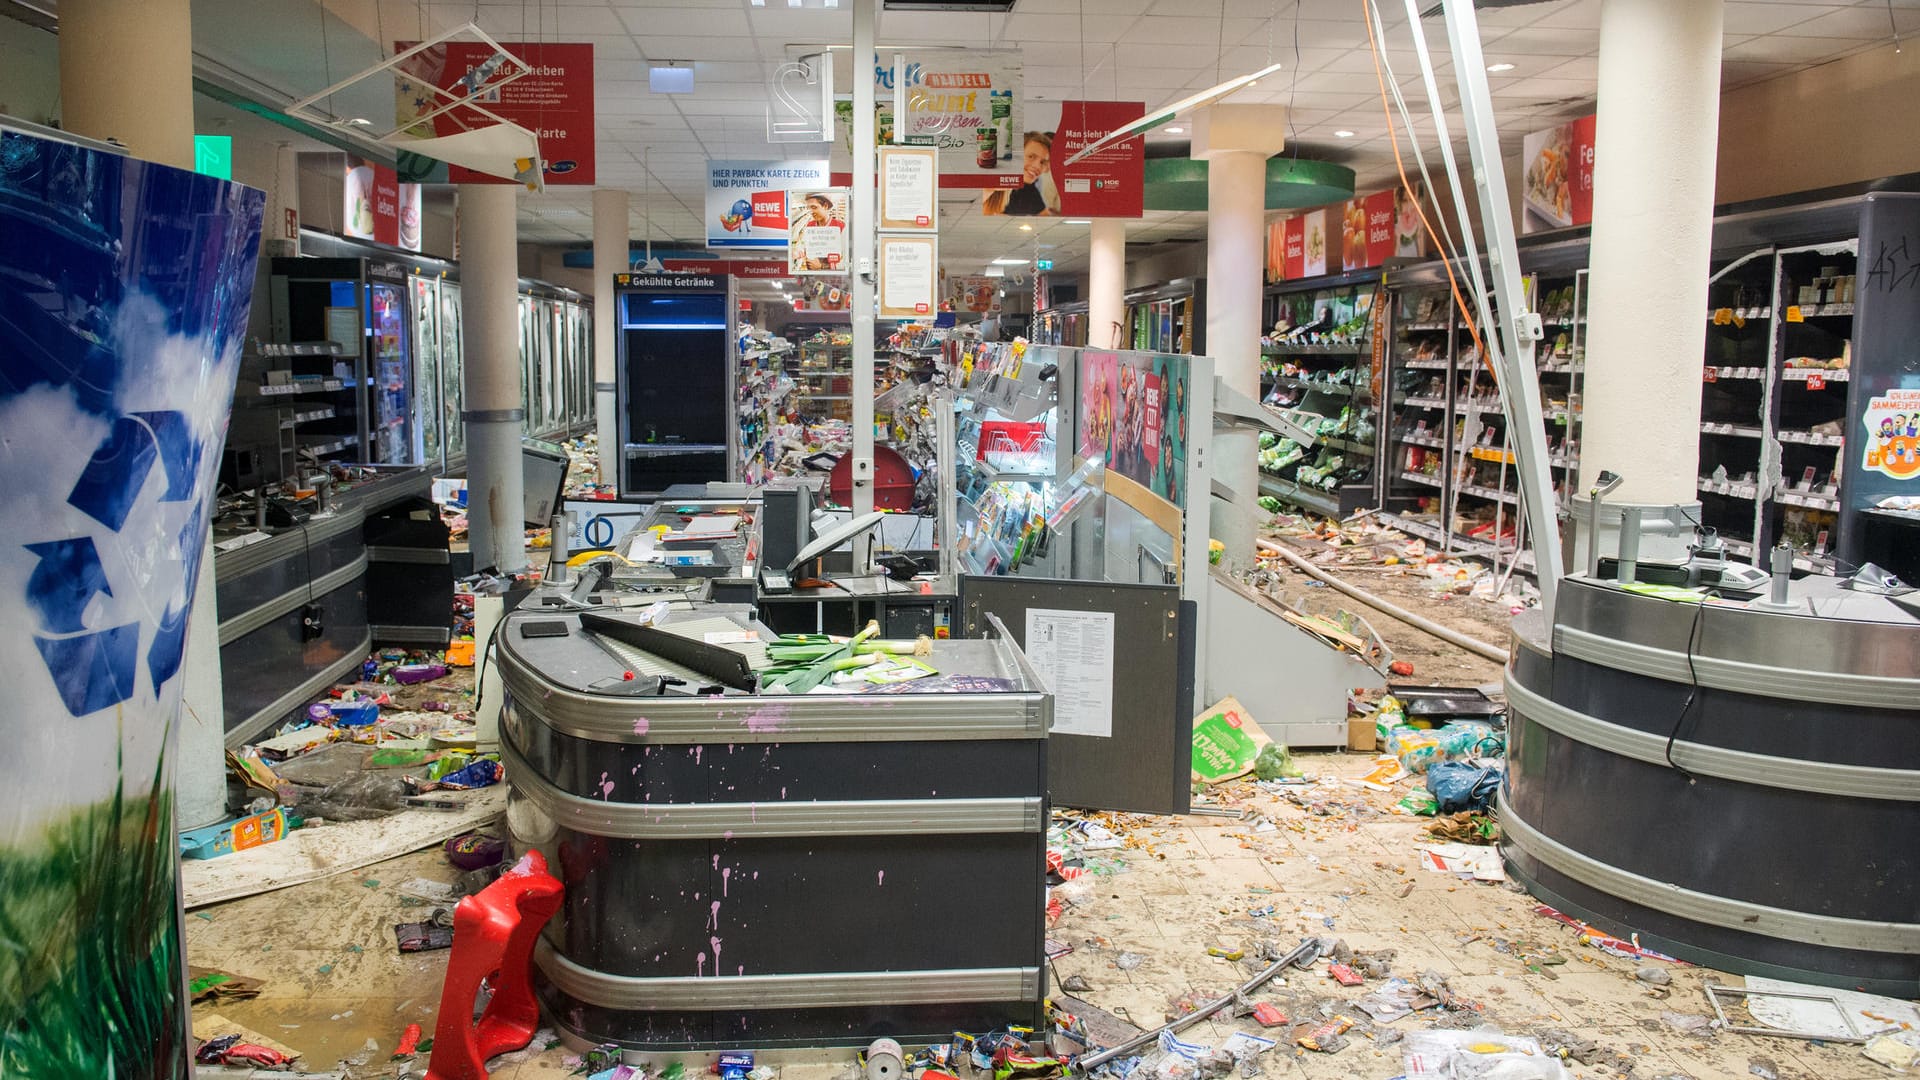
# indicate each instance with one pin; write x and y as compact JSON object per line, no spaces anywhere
{"x":969,"y":105}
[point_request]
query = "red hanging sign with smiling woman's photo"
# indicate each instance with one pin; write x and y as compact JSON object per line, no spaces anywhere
{"x":1109,"y":184}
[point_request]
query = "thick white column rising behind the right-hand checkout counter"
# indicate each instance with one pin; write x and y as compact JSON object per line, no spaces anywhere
{"x":1654,"y":174}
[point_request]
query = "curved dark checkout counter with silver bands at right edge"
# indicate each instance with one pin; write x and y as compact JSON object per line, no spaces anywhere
{"x":1737,"y":783}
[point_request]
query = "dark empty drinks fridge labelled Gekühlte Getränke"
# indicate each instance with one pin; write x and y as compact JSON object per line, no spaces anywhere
{"x":675,"y":383}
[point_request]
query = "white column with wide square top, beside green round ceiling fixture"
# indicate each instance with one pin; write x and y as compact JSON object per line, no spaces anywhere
{"x":1236,"y":143}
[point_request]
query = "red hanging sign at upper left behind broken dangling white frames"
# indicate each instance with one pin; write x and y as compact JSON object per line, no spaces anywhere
{"x":554,"y":101}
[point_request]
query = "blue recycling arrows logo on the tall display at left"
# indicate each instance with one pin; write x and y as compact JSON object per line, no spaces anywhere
{"x":97,"y":668}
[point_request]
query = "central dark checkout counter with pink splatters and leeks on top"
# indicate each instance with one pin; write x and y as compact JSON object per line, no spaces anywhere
{"x":748,"y":868}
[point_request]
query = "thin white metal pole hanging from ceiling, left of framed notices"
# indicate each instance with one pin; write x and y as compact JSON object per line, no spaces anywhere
{"x":861,"y":222}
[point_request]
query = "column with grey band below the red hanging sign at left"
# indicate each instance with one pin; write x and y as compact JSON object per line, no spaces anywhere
{"x":494,"y":414}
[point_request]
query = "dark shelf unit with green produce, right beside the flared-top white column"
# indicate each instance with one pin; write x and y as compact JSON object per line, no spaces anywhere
{"x":1320,"y":362}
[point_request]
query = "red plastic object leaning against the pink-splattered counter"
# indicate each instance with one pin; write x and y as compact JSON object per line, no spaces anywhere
{"x":494,"y":935}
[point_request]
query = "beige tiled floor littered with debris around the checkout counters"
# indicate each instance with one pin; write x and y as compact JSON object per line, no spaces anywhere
{"x":335,"y":979}
